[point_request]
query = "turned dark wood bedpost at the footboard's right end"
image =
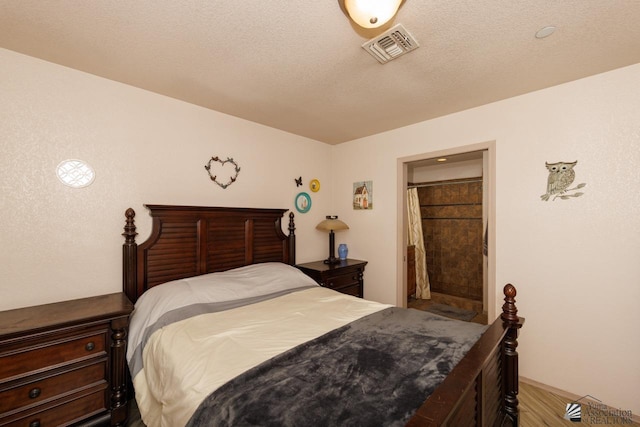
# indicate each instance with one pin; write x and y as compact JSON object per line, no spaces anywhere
{"x":510,"y":356}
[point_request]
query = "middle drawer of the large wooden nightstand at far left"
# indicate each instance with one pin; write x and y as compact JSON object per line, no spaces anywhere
{"x":52,"y":387}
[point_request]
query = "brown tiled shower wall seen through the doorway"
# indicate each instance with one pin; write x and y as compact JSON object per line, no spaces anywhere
{"x":452,"y":227}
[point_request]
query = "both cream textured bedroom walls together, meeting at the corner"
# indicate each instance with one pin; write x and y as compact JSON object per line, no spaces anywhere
{"x":575,"y":262}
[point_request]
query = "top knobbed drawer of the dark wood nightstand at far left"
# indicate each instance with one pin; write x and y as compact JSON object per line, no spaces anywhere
{"x":54,"y":352}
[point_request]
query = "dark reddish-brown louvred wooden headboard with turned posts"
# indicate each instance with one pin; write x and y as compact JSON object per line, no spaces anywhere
{"x":187,"y":241}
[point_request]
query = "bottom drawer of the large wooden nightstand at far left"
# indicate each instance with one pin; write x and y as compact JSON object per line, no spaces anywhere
{"x":64,"y":414}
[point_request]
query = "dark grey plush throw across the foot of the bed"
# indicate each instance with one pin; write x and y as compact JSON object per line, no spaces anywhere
{"x":375,"y":371}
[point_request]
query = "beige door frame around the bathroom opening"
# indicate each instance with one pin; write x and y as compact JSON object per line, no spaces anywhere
{"x":489,"y":176}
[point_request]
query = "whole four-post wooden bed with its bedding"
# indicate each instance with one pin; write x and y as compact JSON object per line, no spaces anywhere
{"x":269,"y":346}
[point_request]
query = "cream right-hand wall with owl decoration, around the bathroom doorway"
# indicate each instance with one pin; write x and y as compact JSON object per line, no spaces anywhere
{"x":575,"y":263}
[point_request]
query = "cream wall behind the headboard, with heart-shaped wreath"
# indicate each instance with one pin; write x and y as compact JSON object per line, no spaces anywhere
{"x":59,"y":243}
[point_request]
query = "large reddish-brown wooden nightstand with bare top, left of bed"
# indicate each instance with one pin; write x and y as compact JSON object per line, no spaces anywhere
{"x":65,"y":362}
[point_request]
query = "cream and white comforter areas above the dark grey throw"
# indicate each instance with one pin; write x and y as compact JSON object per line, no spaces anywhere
{"x":185,"y":361}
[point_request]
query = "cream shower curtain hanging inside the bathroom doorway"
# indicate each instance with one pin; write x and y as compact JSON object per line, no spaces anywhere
{"x":416,"y":238}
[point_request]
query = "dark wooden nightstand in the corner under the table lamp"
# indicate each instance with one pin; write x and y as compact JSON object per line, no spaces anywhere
{"x":345,"y":277}
